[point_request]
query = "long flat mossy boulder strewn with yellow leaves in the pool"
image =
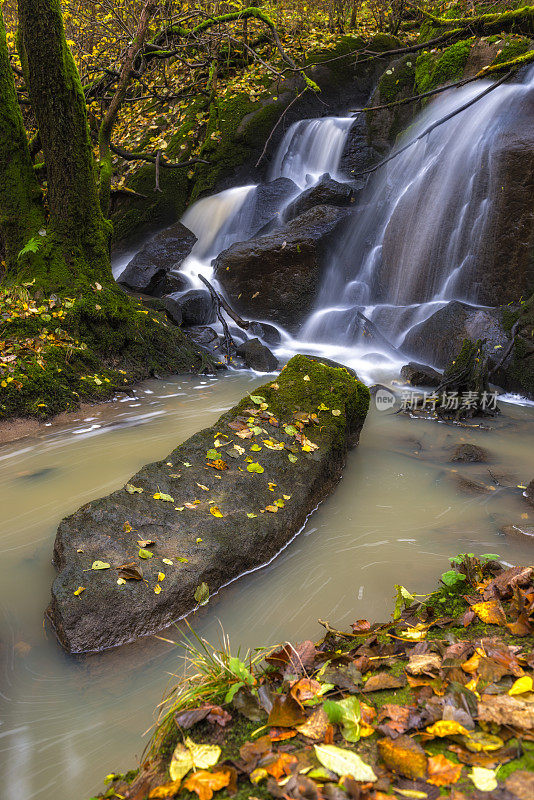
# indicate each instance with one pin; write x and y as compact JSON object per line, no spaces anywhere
{"x":191,"y":535}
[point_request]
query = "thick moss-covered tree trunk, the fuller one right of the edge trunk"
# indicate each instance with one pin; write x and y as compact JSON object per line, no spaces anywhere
{"x":77,"y":241}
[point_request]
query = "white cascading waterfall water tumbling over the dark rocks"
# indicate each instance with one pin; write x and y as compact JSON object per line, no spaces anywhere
{"x":414,"y":242}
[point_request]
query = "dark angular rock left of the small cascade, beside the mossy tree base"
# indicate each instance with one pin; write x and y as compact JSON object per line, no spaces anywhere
{"x":163,"y":252}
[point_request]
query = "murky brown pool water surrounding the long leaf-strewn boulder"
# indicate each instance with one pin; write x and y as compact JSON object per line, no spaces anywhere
{"x":395,"y":518}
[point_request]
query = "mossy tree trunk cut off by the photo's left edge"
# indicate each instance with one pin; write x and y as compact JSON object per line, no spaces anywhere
{"x":21,"y":211}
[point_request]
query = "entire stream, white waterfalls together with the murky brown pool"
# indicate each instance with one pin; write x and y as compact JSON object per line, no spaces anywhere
{"x":399,"y":513}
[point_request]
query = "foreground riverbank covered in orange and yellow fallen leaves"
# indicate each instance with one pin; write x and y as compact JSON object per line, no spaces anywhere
{"x":437,"y":701}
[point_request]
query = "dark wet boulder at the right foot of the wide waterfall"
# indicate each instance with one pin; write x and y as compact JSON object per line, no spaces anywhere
{"x":439,"y":338}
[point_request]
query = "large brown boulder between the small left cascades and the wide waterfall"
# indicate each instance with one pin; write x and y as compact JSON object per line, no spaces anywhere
{"x":277,"y":276}
